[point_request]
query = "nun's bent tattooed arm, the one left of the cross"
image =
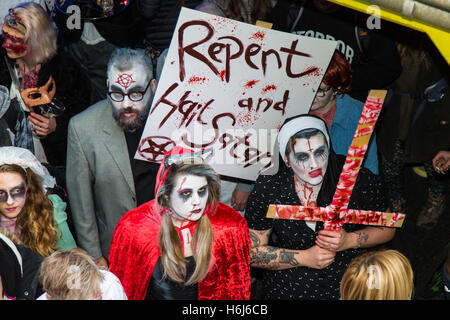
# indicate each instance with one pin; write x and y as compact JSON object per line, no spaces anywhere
{"x":272,"y":258}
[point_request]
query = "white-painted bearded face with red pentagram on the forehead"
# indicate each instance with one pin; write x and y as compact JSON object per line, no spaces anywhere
{"x":130,"y":114}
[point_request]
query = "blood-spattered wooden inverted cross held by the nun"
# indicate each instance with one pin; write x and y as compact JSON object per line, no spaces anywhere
{"x":337,"y":213}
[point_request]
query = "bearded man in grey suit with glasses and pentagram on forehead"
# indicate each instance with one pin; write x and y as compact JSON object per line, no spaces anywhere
{"x":104,"y":181}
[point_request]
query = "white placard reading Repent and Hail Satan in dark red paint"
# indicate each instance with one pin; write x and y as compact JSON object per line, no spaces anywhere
{"x":229,"y":85}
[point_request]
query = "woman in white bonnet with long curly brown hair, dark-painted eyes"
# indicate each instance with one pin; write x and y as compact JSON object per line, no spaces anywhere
{"x":27,"y":208}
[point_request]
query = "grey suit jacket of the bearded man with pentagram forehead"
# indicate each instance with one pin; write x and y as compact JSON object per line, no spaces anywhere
{"x":99,"y":178}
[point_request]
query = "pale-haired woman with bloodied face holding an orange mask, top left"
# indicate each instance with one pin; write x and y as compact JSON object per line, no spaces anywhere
{"x":32,"y":70}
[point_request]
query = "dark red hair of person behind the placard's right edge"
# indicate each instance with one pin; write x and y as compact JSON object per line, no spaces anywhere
{"x":339,"y":74}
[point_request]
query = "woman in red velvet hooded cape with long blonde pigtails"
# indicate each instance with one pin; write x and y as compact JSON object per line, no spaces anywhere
{"x":184,"y":244}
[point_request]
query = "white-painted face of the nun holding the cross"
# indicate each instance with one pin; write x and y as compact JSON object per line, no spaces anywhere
{"x":309,"y":159}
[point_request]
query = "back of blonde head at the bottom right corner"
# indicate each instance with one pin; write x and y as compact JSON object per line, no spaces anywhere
{"x":378,"y":275}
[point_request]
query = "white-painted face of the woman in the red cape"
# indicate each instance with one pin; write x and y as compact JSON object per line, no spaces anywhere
{"x":189,"y":197}
